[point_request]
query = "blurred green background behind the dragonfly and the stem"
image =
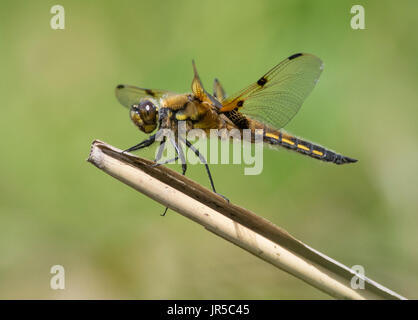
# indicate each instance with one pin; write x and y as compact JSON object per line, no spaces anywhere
{"x":57,"y":96}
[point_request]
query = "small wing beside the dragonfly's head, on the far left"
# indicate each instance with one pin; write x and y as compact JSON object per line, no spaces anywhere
{"x":128,"y":95}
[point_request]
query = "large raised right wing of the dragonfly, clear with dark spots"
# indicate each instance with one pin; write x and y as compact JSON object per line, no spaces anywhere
{"x":278,"y":95}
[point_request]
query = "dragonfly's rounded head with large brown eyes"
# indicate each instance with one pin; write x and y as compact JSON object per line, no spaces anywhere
{"x":144,"y":115}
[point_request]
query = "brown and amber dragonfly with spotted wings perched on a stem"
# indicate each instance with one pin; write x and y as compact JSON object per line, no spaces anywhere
{"x":268,"y":104}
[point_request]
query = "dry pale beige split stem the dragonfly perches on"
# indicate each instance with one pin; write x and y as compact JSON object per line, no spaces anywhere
{"x":235,"y":224}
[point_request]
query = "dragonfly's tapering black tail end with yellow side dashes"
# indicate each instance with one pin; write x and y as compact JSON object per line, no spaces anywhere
{"x":305,"y":147}
